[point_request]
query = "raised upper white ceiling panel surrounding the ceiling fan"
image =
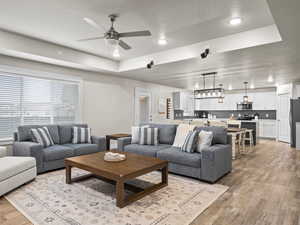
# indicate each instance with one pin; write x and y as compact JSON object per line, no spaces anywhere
{"x":182,"y":22}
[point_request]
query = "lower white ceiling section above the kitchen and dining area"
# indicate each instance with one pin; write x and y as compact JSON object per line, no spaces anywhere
{"x":254,"y":65}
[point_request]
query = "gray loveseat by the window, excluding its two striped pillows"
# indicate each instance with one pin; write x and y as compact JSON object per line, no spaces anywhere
{"x":52,"y":157}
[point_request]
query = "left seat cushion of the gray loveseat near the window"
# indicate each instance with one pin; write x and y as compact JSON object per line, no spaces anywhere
{"x":56,"y":152}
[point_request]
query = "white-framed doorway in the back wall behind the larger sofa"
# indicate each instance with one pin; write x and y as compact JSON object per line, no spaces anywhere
{"x":143,"y":102}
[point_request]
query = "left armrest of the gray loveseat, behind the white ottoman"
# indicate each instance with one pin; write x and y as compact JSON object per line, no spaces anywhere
{"x":32,"y":149}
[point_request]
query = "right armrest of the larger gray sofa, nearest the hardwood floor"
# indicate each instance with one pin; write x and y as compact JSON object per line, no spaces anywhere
{"x":216,"y":161}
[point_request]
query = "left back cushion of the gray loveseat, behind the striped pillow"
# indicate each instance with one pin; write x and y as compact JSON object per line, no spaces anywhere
{"x":24,"y":132}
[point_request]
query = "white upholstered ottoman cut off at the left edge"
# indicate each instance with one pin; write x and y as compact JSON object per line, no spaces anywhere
{"x":15,"y":171}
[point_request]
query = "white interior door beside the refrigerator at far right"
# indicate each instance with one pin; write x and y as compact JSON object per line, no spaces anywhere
{"x":283,"y":118}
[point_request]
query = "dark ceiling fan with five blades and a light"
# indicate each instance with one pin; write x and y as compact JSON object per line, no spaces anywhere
{"x":112,"y":36}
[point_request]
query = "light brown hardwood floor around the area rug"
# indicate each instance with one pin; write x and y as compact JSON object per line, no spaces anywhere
{"x":264,"y":190}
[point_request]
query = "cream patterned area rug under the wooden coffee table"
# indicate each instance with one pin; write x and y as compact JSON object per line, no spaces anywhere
{"x":49,"y":200}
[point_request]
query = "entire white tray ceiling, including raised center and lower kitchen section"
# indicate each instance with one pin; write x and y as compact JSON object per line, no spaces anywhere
{"x":186,"y":24}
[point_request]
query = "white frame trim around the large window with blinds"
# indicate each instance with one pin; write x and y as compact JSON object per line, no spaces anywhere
{"x":48,"y":76}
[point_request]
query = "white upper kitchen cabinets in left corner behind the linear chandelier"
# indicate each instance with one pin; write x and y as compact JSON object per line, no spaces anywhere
{"x":184,"y":101}
